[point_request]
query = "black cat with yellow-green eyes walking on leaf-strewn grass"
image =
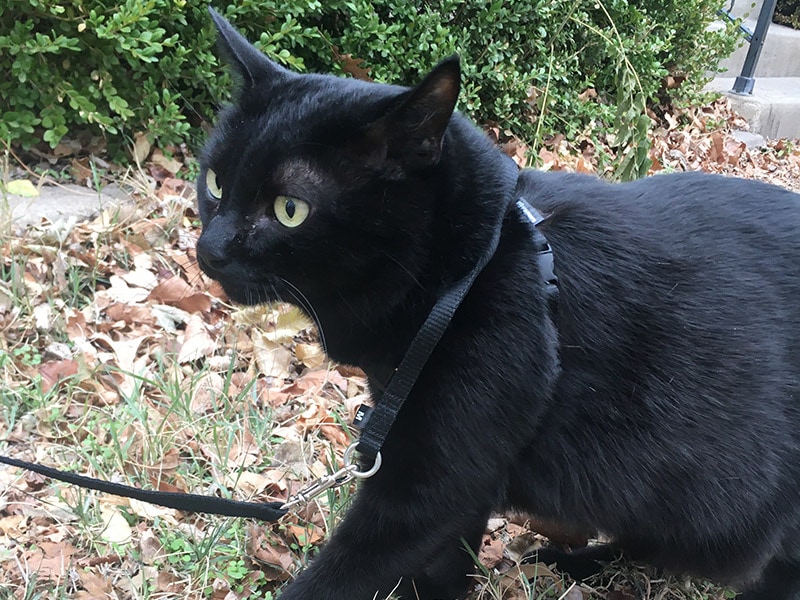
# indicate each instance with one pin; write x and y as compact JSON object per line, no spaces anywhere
{"x":658,"y":405}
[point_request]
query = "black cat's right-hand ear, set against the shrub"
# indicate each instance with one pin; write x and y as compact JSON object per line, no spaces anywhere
{"x":416,"y":128}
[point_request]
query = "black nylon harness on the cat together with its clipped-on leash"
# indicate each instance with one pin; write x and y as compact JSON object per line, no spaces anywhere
{"x":397,"y":390}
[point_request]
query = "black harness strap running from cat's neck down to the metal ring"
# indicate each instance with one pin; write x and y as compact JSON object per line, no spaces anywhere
{"x":423,"y":344}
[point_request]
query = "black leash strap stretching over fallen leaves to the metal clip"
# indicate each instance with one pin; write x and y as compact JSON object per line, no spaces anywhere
{"x":266,"y":511}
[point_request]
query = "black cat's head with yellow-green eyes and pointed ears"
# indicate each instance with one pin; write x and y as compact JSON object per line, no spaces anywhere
{"x":322,"y":187}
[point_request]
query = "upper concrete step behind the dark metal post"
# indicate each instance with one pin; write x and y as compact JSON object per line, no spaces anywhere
{"x":780,"y":56}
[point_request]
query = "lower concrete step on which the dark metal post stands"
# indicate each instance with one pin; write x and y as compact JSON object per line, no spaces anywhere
{"x":773,"y":110}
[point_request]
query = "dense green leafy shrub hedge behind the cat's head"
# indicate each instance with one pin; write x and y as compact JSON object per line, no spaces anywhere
{"x":149,"y":65}
